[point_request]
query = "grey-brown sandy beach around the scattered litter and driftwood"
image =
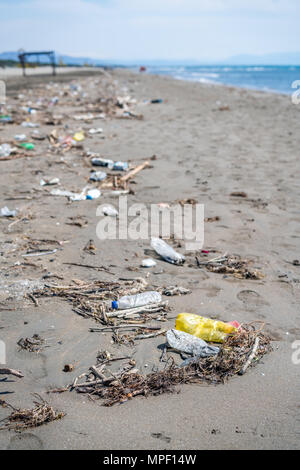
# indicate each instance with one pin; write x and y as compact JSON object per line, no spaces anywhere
{"x":209,"y":142}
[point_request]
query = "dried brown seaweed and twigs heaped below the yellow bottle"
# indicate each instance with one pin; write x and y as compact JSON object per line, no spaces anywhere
{"x":247,"y":344}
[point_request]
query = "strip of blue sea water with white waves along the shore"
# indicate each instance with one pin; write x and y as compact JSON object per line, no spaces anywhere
{"x":267,"y":78}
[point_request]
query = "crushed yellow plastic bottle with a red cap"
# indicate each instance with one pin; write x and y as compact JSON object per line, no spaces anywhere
{"x":204,"y":328}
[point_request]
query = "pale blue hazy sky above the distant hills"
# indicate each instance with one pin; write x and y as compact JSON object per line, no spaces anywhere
{"x":151,"y":29}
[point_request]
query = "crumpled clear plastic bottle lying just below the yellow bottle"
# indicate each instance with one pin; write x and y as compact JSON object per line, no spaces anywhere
{"x":190,"y":344}
